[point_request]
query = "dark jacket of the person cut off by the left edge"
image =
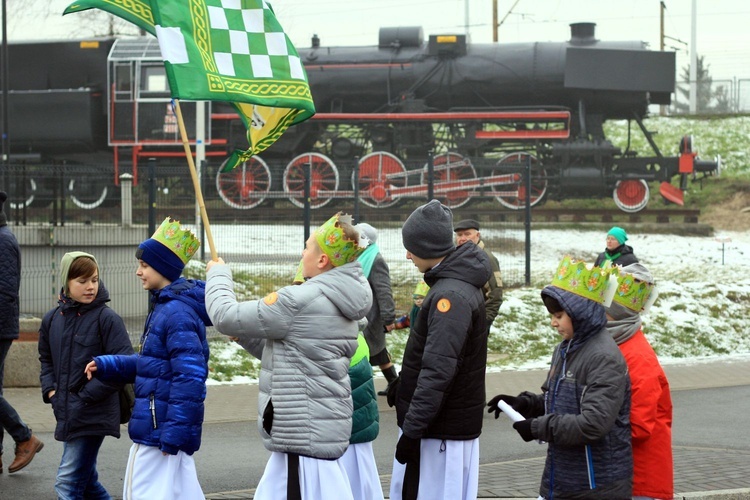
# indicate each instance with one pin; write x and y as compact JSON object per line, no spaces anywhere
{"x":10,"y":281}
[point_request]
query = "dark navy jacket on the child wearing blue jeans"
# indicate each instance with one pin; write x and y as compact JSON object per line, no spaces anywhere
{"x":70,"y":336}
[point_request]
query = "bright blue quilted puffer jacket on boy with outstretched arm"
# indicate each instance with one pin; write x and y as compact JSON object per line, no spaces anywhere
{"x":169,"y":372}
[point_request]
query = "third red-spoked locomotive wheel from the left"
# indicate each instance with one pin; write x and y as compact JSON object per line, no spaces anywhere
{"x":378,"y":173}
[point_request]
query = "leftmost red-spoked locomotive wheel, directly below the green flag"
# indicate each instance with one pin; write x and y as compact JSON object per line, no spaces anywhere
{"x":246,"y":186}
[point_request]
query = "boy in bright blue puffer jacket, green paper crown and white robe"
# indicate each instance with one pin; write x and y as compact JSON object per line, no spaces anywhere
{"x":169,"y":372}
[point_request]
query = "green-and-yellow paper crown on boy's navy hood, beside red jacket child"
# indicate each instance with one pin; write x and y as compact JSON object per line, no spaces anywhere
{"x":594,"y":283}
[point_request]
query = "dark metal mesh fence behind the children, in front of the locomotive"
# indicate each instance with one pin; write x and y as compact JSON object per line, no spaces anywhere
{"x":82,"y":207}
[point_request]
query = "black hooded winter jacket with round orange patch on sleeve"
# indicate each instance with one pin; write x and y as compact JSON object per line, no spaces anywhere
{"x":442,"y":394}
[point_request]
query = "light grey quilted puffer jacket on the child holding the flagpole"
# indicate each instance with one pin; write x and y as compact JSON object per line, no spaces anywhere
{"x":310,"y":331}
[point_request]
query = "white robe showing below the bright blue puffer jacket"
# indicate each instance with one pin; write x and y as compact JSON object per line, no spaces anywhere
{"x":151,"y":475}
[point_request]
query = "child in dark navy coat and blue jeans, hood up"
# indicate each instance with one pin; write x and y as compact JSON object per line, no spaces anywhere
{"x":79,"y":328}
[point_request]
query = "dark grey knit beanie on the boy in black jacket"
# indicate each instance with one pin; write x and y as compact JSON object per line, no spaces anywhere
{"x":428,"y":232}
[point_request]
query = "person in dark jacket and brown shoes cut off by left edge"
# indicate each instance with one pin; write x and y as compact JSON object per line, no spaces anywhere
{"x":27,"y":445}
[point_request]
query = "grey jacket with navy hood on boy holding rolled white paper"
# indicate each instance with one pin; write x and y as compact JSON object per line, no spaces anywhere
{"x":585,"y":410}
